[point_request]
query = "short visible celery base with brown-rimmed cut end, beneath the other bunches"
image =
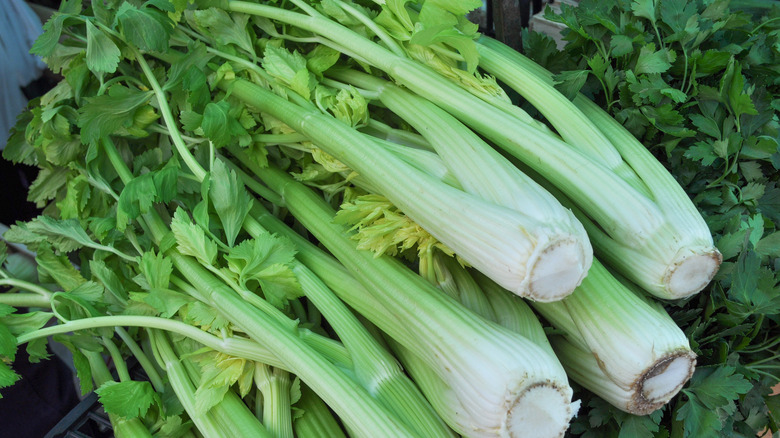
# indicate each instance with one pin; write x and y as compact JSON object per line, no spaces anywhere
{"x":640,"y":357}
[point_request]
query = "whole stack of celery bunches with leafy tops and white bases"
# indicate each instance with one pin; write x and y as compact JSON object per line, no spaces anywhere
{"x":322,"y":218}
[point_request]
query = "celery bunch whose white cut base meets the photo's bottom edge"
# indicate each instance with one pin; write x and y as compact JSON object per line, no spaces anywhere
{"x":496,"y":379}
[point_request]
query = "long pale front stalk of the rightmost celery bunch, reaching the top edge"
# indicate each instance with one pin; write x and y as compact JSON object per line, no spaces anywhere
{"x":621,"y":210}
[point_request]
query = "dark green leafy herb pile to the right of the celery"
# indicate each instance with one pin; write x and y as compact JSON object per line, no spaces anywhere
{"x":698,"y":84}
